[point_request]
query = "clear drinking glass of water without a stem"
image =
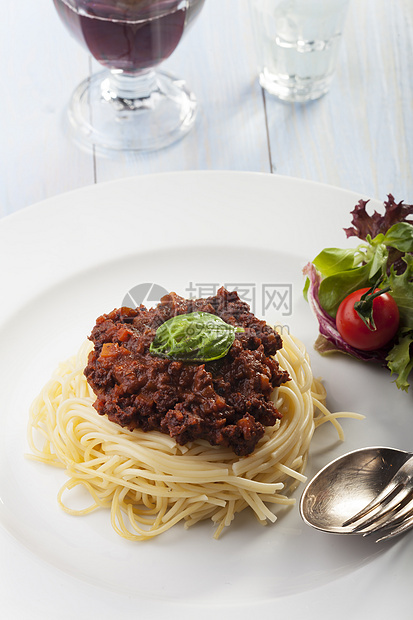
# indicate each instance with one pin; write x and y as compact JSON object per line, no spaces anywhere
{"x":297,"y":45}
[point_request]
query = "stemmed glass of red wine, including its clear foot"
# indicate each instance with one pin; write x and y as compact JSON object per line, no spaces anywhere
{"x":130,"y":105}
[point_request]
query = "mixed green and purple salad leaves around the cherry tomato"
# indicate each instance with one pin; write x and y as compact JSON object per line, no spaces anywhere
{"x":384,"y":260}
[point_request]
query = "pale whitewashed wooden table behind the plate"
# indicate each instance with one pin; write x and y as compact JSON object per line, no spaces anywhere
{"x":359,"y":136}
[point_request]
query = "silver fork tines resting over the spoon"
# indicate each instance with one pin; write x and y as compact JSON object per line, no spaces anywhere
{"x":391,"y":509}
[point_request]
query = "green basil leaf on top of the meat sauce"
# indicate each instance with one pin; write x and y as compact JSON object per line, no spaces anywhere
{"x":197,"y":336}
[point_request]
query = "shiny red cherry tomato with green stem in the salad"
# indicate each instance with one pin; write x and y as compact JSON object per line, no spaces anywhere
{"x":356,"y":333}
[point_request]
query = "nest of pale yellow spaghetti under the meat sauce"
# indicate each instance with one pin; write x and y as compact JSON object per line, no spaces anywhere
{"x":149,"y":482}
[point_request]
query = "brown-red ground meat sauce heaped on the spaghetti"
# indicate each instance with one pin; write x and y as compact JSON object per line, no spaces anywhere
{"x":226,"y":401}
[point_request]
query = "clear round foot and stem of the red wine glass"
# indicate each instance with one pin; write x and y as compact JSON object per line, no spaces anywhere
{"x":115,"y":111}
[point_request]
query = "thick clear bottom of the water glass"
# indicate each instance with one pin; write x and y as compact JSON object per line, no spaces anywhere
{"x":293,"y":88}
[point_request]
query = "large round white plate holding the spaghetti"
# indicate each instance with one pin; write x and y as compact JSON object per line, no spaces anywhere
{"x":71,"y":258}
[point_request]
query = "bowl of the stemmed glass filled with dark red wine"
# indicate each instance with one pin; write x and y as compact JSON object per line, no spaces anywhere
{"x":128,"y":34}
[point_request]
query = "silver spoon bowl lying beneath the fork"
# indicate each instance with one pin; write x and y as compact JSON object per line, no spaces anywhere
{"x":346,"y":486}
